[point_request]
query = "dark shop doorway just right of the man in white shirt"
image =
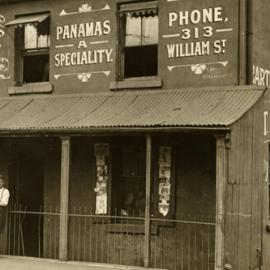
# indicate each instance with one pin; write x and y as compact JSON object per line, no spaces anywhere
{"x":25,"y":223}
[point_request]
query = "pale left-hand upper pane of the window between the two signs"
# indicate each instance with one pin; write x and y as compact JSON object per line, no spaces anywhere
{"x":133,"y":30}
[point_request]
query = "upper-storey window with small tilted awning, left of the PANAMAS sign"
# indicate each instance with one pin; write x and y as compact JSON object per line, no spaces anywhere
{"x":32,"y":48}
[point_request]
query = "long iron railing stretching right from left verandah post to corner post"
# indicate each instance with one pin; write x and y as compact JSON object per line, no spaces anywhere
{"x":175,"y":244}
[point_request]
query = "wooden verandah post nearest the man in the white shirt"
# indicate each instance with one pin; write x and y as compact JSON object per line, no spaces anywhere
{"x":64,"y":198}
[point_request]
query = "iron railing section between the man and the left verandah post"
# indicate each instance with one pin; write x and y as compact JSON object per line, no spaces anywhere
{"x":32,"y":233}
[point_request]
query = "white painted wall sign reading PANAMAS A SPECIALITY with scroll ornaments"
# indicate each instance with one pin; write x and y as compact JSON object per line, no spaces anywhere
{"x":83,"y":42}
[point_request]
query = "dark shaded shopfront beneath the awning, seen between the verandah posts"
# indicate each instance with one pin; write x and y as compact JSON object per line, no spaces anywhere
{"x":33,"y":167}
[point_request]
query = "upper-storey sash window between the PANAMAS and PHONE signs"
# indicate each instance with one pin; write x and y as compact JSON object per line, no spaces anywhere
{"x":139,"y":39}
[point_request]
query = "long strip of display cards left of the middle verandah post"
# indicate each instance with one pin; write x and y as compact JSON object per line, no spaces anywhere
{"x":102,"y":178}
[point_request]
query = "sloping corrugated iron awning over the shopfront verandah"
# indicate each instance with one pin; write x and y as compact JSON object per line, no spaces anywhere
{"x":202,"y":107}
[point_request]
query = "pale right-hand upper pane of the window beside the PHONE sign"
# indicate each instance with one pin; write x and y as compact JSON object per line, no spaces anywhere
{"x":150,"y":30}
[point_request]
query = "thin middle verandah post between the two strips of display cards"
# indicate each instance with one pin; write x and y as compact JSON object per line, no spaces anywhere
{"x":147,"y":224}
